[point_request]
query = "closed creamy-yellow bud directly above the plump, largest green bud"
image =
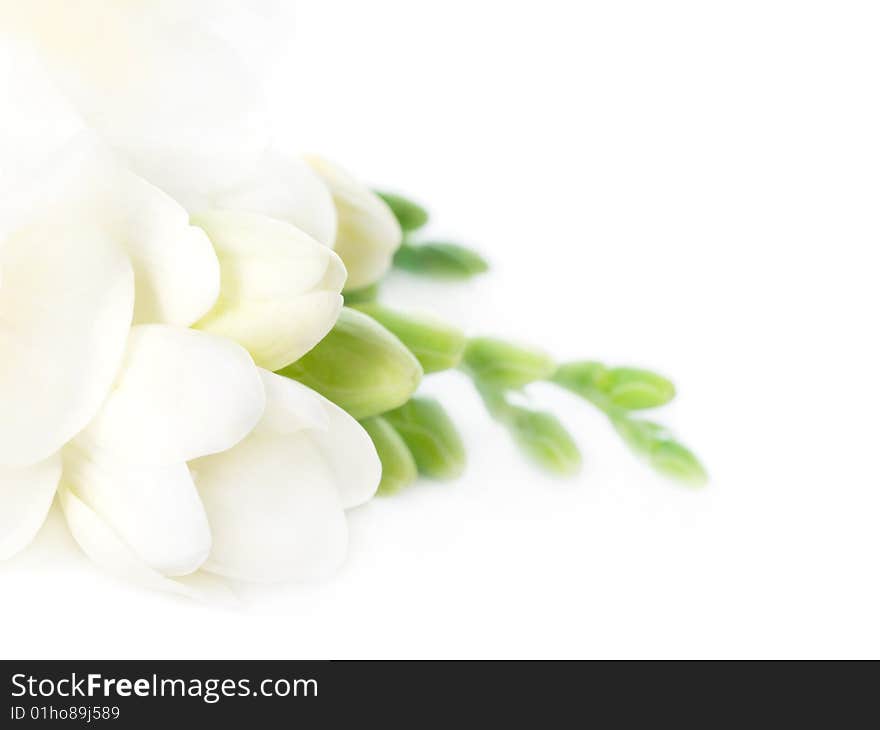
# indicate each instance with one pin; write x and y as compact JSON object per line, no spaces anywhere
{"x":280,"y":289}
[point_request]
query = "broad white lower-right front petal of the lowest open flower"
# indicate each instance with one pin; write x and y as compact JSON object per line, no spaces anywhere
{"x":273,"y":501}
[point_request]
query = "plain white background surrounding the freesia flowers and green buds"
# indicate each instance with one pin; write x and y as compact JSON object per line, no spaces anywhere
{"x":689,"y":186}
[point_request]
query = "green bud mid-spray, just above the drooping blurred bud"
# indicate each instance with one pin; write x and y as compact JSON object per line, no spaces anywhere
{"x":501,"y":364}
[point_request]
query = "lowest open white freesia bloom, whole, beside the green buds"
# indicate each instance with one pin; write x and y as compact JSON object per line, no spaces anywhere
{"x":268,"y":508}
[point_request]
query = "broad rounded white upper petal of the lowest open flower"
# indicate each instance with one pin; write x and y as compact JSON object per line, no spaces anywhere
{"x":181,"y":394}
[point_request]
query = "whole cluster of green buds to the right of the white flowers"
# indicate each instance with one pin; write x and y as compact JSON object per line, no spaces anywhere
{"x":373,"y":361}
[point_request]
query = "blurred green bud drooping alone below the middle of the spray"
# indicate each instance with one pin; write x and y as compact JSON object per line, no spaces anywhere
{"x":541,"y":436}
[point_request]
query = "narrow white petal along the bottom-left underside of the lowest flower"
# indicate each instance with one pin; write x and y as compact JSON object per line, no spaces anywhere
{"x":103,"y":545}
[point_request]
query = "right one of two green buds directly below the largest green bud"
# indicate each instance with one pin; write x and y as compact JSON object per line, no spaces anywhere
{"x":430,"y":436}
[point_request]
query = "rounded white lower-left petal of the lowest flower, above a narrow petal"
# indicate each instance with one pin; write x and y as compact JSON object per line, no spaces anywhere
{"x":155,"y":510}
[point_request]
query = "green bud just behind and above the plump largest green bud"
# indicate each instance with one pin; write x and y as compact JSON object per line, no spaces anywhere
{"x":436,"y":345}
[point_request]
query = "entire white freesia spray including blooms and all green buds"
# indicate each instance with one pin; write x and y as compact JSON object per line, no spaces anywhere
{"x":193,"y":357}
